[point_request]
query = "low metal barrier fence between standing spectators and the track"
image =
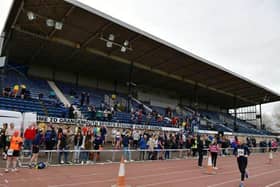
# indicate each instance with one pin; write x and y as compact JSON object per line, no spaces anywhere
{"x":73,"y":157}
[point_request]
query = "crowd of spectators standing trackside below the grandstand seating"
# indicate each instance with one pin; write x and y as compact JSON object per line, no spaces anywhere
{"x":151,"y":145}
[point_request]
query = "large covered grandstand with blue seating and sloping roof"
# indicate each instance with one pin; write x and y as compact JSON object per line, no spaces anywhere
{"x":81,"y":49}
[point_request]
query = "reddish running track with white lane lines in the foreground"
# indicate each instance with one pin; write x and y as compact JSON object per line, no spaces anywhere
{"x":174,"y":173}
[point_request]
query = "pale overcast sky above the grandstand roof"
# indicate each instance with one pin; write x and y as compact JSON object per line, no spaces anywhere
{"x":242,"y":36}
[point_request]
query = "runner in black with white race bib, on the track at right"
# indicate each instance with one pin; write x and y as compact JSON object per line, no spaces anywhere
{"x":242,"y":152}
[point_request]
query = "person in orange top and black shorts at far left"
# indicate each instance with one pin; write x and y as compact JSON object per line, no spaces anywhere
{"x":14,"y":151}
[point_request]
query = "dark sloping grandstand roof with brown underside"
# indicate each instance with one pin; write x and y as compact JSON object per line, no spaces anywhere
{"x":80,"y":46}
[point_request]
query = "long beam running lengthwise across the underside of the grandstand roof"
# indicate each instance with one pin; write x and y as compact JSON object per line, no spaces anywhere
{"x":125,"y":61}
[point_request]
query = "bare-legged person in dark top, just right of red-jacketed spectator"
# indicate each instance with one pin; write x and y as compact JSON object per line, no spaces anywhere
{"x":35,"y":147}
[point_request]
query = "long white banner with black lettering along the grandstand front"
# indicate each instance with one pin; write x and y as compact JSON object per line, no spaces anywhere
{"x":68,"y":121}
